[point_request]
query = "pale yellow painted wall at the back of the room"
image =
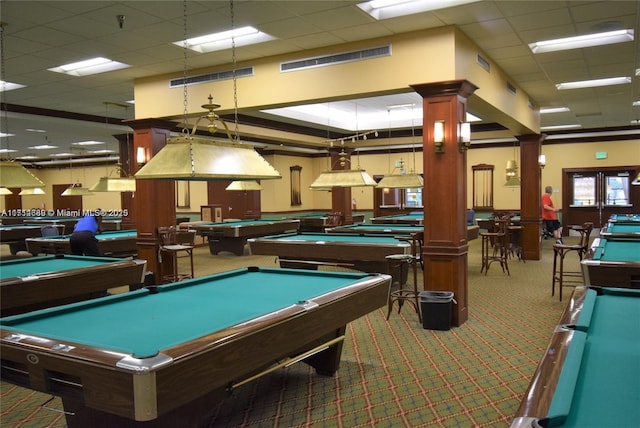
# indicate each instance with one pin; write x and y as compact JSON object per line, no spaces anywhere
{"x":276,"y":195}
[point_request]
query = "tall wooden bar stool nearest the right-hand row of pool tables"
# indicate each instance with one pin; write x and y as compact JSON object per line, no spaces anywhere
{"x":560,"y":251}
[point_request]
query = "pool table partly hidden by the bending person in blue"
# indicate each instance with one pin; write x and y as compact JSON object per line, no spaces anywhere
{"x":121,"y":243}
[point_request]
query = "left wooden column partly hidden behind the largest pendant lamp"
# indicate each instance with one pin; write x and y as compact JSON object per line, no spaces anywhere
{"x":154,"y":202}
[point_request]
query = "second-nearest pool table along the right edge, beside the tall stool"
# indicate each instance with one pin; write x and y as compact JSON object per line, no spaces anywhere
{"x":613,"y":261}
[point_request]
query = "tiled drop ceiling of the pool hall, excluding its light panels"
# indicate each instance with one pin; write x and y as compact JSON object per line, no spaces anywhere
{"x":43,"y":34}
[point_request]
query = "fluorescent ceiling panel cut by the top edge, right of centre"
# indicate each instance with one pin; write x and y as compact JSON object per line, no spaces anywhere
{"x":385,"y":9}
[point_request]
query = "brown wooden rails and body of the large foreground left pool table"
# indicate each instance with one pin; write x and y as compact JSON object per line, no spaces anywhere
{"x":104,"y":389}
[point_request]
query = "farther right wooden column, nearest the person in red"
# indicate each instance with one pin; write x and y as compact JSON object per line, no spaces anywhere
{"x":530,"y":195}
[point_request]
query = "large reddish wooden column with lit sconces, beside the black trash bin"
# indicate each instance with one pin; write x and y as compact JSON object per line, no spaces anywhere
{"x":445,"y":192}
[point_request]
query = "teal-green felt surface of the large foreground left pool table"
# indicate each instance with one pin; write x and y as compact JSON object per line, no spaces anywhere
{"x":213,"y":305}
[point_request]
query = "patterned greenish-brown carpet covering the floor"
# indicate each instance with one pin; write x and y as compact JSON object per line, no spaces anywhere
{"x":393,"y":373}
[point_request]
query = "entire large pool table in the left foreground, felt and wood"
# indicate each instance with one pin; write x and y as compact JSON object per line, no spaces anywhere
{"x":143,"y":356}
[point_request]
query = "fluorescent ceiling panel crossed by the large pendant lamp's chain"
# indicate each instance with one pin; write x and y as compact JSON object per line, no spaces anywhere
{"x":218,"y":41}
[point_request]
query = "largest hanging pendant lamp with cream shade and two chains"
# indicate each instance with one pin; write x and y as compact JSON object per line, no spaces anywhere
{"x":192,"y":158}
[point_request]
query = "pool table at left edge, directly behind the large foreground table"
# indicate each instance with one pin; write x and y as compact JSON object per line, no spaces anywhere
{"x":27,"y":284}
